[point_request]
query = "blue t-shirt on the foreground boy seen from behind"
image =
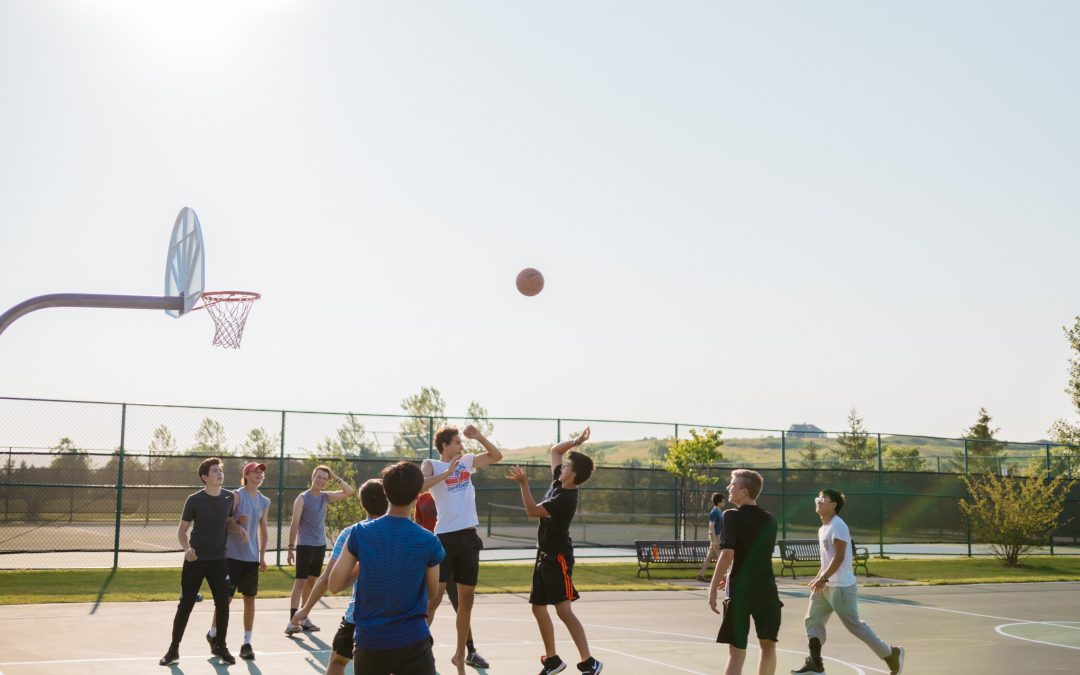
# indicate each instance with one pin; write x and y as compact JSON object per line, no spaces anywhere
{"x":391,"y":593}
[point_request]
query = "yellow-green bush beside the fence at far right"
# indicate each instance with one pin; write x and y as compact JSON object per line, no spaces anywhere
{"x":1015,"y":516}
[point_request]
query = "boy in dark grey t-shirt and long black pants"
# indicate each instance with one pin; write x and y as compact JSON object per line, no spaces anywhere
{"x":211,"y":511}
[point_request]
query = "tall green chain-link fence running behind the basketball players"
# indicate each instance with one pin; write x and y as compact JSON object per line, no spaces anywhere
{"x":91,"y":484}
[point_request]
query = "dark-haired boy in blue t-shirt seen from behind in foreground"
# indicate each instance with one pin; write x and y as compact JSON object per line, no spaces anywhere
{"x":399,"y":570}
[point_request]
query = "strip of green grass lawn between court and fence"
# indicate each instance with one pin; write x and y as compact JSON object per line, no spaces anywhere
{"x":90,"y":586}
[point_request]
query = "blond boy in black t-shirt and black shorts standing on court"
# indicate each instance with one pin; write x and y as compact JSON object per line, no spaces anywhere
{"x":746,"y":572}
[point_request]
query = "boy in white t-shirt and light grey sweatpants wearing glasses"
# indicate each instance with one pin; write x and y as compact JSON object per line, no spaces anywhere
{"x":834,"y":590}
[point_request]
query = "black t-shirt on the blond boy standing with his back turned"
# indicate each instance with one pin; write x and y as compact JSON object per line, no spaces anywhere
{"x":752,"y":532}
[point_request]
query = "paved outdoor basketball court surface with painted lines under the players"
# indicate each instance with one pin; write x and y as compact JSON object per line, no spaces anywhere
{"x":971,"y":629}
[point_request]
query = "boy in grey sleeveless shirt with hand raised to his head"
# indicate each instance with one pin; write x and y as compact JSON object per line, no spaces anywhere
{"x":307,"y":537}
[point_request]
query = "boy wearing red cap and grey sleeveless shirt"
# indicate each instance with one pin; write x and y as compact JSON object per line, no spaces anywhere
{"x":245,"y":561}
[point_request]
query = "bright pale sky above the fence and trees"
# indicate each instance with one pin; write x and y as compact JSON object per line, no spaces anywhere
{"x":748,"y":214}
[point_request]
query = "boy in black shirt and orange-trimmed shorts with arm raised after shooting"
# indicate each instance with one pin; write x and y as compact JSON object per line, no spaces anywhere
{"x":553,"y":575}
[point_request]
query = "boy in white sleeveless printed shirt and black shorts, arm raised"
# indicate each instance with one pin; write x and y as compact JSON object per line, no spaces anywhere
{"x":450,"y":481}
